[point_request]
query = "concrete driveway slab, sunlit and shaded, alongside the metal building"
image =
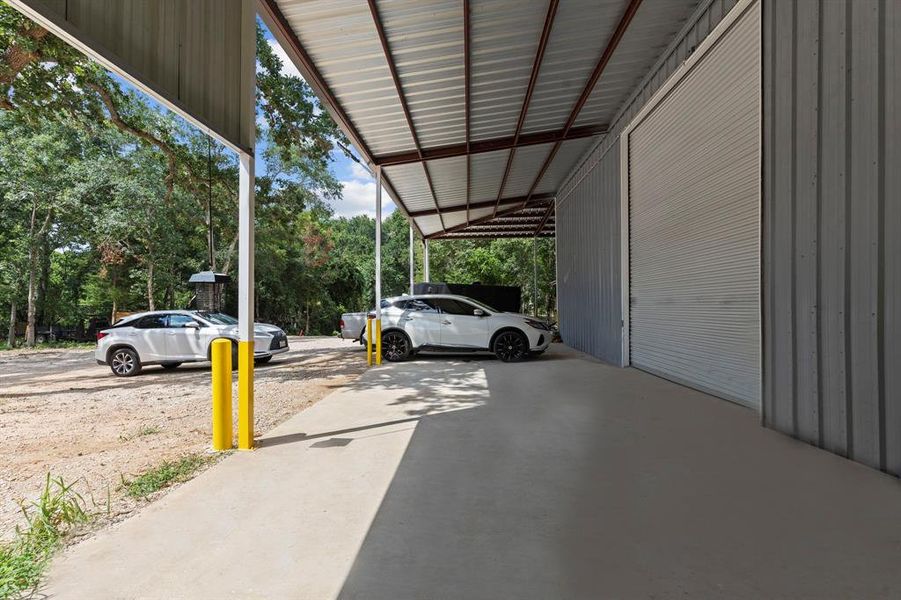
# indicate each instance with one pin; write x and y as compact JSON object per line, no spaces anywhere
{"x":558,"y":478}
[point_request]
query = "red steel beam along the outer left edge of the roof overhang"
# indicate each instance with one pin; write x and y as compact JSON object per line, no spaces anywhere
{"x":283,"y":31}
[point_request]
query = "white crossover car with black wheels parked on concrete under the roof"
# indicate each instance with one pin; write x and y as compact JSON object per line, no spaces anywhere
{"x":450,"y":323}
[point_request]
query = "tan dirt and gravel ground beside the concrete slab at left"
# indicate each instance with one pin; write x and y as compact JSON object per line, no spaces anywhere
{"x":62,"y":413}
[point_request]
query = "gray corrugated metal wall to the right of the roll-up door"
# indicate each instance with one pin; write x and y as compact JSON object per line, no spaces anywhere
{"x":832,"y":225}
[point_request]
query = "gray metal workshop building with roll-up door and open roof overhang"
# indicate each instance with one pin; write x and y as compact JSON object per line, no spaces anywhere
{"x":721,"y":176}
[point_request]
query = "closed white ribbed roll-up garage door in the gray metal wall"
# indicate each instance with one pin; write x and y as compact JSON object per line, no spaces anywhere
{"x":694,"y":229}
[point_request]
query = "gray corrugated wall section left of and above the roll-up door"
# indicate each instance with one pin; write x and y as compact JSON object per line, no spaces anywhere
{"x":594,"y":326}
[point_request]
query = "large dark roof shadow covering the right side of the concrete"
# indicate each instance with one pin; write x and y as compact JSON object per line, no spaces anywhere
{"x":573,"y":479}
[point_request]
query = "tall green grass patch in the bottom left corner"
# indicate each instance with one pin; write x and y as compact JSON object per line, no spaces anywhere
{"x":55,"y":515}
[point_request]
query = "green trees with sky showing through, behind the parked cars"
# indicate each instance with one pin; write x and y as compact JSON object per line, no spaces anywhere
{"x":107,"y":202}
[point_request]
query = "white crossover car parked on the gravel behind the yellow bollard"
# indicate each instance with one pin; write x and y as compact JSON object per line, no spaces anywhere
{"x":172,"y":337}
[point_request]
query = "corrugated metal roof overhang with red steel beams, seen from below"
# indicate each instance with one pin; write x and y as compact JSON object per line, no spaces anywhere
{"x":474,"y":111}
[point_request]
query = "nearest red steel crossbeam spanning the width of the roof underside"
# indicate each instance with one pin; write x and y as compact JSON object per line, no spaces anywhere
{"x":492,"y":145}
